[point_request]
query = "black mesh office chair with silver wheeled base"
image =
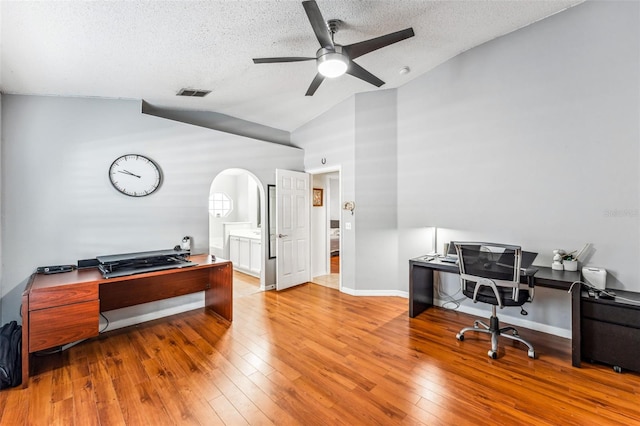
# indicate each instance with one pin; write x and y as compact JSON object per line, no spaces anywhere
{"x":490,"y":273}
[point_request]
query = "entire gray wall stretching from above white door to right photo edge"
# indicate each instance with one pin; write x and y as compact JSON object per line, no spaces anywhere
{"x":531,"y":139}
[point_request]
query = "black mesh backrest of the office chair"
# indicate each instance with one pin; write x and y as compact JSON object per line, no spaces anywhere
{"x":497,"y":262}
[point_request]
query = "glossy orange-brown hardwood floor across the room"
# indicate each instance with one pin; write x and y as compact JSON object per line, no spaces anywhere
{"x":314,"y":356}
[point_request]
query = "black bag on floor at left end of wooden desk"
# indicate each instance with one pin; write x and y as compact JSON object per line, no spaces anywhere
{"x":10,"y":355}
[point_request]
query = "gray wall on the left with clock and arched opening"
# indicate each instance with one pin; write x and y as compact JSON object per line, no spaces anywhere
{"x":58,"y":205}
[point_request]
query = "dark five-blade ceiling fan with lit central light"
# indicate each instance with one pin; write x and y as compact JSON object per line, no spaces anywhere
{"x":333,"y":59}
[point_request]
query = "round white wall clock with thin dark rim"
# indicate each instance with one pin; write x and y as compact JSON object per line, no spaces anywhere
{"x":135,"y":175}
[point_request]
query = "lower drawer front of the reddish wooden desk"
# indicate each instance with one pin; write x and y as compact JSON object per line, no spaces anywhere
{"x":63,"y":324}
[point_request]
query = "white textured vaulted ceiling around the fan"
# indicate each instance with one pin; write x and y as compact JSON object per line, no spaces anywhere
{"x":151,"y":49}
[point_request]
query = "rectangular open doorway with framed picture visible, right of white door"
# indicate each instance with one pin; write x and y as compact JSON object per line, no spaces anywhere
{"x":326,"y":227}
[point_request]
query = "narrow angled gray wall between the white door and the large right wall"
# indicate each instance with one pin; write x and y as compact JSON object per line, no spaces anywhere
{"x":360,"y":136}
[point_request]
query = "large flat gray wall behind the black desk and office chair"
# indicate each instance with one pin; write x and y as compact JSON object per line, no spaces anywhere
{"x":536,"y":135}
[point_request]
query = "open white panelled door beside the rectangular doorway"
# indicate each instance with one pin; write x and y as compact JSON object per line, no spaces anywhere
{"x":293,"y":264}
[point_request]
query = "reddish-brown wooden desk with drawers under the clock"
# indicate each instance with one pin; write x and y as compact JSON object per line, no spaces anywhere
{"x":62,"y":308}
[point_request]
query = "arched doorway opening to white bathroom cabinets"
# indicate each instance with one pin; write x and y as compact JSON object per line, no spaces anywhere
{"x":237,"y":226}
